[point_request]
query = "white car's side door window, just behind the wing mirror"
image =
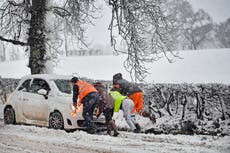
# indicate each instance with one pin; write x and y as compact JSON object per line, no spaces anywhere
{"x":38,"y":84}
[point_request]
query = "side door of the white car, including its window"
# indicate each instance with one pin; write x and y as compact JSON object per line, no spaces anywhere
{"x":35,"y":105}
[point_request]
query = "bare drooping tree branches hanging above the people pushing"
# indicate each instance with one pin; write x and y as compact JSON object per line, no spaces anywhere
{"x":144,"y":29}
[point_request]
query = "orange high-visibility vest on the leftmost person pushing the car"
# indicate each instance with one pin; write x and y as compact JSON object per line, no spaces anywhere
{"x":84,"y":89}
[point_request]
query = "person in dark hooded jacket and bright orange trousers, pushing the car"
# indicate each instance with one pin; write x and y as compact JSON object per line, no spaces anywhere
{"x":133,"y":92}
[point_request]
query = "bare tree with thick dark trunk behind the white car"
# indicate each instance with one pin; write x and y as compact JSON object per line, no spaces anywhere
{"x":25,"y":23}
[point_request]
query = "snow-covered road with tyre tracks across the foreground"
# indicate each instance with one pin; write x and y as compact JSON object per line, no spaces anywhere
{"x":24,"y":139}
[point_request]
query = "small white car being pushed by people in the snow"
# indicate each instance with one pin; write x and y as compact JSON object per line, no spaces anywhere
{"x":43,"y":100}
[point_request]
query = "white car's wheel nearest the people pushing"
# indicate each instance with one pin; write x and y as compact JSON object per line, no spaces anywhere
{"x":56,"y":121}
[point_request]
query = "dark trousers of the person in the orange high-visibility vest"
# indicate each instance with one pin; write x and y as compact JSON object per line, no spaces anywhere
{"x":89,"y":103}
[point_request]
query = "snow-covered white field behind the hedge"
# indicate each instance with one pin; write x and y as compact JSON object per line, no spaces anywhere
{"x":201,"y":66}
